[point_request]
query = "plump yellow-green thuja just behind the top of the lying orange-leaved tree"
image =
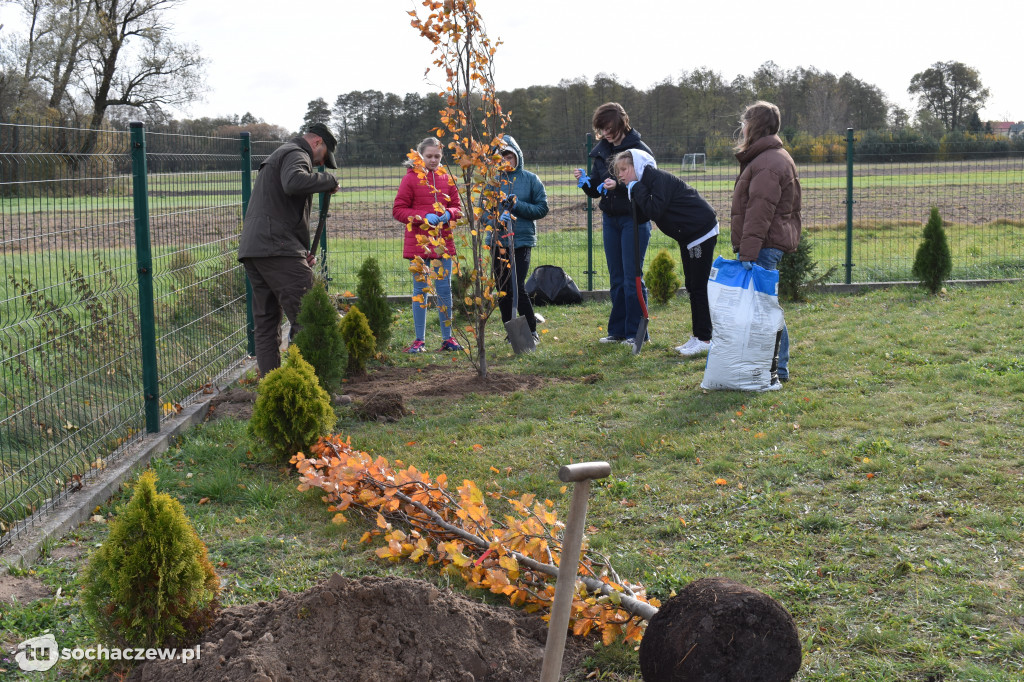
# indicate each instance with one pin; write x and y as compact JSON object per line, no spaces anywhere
{"x":291,"y":411}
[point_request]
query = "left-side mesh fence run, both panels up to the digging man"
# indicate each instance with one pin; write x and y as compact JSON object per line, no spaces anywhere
{"x":71,"y":358}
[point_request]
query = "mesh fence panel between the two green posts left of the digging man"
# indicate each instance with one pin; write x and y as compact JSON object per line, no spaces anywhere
{"x":195,"y":187}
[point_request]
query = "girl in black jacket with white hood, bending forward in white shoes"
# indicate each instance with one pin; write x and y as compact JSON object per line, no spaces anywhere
{"x":684,"y":215}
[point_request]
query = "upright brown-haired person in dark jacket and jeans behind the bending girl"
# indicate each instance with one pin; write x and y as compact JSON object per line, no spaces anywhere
{"x":612,"y":124}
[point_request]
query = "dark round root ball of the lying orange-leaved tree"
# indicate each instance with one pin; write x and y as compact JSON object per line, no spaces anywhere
{"x":717,"y":630}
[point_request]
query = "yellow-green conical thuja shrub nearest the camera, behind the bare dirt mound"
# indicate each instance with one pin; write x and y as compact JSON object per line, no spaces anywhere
{"x":151,"y":583}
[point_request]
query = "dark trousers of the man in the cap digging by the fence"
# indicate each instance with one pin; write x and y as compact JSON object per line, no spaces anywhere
{"x":279,"y":284}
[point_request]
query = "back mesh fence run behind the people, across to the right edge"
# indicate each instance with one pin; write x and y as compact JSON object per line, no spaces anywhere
{"x":894,"y":187}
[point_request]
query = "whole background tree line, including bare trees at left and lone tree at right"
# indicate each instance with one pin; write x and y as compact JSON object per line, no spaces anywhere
{"x":96,"y":65}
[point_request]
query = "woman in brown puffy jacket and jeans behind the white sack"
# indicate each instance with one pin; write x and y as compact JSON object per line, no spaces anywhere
{"x":765,"y":201}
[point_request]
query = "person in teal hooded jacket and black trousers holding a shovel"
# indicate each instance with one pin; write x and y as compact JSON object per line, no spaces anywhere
{"x":526,"y":201}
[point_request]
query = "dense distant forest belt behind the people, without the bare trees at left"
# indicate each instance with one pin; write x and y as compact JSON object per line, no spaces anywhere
{"x":679,"y":114}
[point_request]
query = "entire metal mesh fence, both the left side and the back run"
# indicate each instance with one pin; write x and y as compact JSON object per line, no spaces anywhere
{"x":71,"y":358}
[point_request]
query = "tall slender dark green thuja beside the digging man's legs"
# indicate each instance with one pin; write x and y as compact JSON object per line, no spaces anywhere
{"x":320,"y":337}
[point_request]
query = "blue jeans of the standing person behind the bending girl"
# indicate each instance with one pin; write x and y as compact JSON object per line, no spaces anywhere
{"x":619,"y":252}
